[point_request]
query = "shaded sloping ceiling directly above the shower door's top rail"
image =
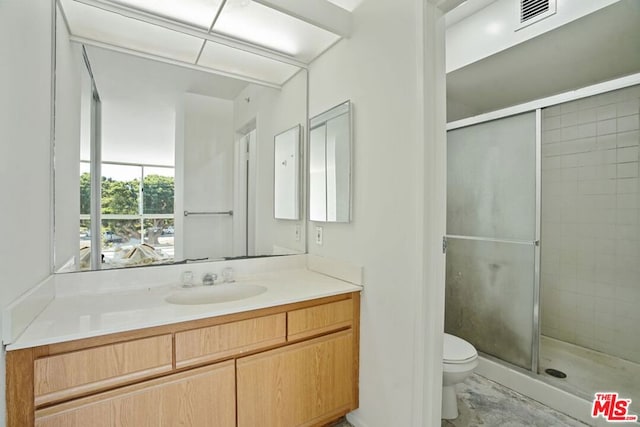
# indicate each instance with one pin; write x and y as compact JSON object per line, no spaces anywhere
{"x":598,"y":47}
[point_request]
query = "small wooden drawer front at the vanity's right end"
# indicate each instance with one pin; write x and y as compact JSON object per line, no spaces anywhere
{"x":319,"y":319}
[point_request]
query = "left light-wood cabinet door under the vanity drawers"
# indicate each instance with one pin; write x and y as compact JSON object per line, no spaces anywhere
{"x":203,"y":397}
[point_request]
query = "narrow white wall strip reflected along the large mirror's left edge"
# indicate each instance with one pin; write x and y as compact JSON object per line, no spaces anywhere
{"x":67,"y":145}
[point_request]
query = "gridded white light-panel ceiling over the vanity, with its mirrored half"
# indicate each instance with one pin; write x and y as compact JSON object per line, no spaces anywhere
{"x":239,"y":38}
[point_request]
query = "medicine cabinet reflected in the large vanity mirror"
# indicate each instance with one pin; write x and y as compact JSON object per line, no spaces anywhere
{"x":286,"y":168}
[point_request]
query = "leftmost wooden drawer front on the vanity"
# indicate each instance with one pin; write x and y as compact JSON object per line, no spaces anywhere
{"x":73,"y":374}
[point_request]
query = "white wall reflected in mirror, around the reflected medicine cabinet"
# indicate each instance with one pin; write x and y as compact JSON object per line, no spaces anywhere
{"x":274,"y":111}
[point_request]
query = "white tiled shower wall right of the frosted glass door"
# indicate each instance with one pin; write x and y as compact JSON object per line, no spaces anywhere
{"x":590,"y":241}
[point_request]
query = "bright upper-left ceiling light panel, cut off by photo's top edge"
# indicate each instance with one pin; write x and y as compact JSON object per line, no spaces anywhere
{"x":199,"y":13}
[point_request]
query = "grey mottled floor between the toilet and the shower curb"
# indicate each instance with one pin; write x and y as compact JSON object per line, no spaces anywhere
{"x":482,"y":402}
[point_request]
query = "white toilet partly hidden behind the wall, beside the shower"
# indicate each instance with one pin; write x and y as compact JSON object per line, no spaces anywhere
{"x":459,"y":359}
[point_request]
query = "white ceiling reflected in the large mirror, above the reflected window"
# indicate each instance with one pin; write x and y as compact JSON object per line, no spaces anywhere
{"x":139,"y":98}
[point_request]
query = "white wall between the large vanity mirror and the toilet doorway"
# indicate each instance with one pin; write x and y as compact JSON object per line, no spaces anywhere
{"x":380,"y":69}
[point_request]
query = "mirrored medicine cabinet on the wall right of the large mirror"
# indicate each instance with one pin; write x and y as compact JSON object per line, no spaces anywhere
{"x":330,"y":165}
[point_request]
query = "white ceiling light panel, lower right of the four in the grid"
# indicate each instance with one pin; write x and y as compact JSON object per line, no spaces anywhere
{"x":230,"y":60}
